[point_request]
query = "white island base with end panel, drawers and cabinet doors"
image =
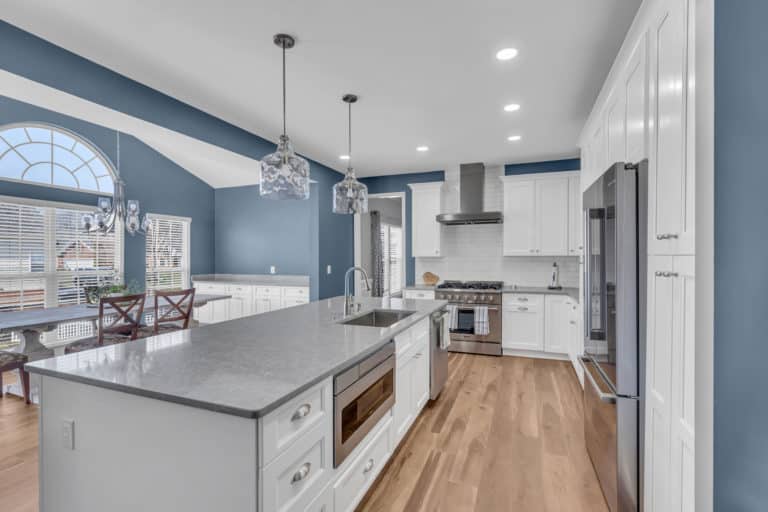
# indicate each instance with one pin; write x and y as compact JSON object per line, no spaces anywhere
{"x":107,"y":450}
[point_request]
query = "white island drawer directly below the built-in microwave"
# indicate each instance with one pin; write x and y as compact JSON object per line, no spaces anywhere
{"x":355,"y":481}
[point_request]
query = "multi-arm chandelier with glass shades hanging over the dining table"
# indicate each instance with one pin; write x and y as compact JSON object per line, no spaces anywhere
{"x":110,"y":211}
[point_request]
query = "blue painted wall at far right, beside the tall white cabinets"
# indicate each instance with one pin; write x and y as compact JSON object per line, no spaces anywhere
{"x":741,"y":246}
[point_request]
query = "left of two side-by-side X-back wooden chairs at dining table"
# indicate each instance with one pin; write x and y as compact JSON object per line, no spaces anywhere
{"x":123,"y":322}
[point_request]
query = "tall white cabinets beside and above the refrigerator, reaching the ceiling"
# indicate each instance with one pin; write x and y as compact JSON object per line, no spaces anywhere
{"x":645,"y":110}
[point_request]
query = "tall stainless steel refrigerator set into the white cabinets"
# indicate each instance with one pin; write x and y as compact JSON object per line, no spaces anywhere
{"x":615,"y":262}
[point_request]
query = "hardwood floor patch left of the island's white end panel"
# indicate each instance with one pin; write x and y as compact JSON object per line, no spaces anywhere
{"x":18,"y":454}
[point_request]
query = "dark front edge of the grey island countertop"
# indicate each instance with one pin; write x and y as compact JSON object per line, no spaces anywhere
{"x":219,"y":408}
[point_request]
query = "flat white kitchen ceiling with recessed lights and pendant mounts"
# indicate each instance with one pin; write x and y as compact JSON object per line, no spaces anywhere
{"x":424,"y":70}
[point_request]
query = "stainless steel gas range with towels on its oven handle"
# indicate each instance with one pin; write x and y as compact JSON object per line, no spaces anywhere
{"x":467,"y":296}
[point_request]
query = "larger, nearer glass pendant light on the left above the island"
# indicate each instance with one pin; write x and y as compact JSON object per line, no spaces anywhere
{"x":284,"y":174}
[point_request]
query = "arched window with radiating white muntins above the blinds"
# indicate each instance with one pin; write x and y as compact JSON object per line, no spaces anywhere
{"x":48,"y":155}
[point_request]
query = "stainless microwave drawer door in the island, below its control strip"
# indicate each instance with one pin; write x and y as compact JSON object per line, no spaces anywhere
{"x":359,"y":407}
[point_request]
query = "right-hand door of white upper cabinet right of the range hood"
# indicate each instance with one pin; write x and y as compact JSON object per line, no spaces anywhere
{"x":552,"y":216}
